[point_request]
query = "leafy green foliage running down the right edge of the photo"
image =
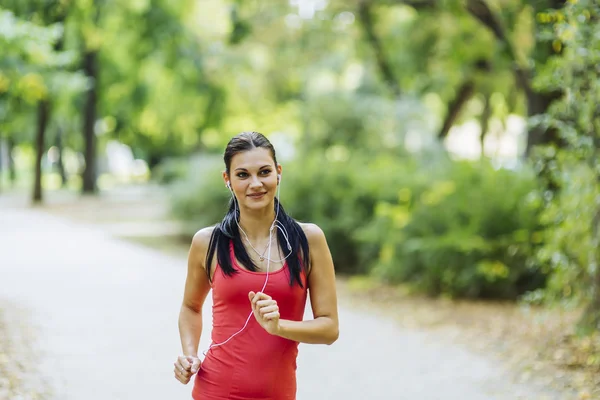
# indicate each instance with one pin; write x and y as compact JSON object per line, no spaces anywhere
{"x":572,"y":215}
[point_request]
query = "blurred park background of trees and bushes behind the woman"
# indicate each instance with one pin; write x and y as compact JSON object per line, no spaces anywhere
{"x":448,"y":149}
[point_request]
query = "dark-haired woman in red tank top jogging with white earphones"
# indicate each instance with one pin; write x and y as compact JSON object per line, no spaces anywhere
{"x":259,"y":263}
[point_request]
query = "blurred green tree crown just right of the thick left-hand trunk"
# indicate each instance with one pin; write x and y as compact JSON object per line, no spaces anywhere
{"x":153,"y":81}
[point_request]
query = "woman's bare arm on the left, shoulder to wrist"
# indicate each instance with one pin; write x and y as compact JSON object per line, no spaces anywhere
{"x":197,"y":287}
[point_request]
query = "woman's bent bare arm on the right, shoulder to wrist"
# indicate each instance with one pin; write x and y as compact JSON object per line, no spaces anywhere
{"x":323,"y":329}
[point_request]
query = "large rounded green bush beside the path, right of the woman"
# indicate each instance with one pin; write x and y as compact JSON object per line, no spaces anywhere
{"x":467,"y":231}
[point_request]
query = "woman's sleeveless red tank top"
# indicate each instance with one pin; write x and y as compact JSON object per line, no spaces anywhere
{"x":253,"y":364}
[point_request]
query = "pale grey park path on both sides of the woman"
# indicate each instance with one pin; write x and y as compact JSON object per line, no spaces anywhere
{"x":105,"y":313}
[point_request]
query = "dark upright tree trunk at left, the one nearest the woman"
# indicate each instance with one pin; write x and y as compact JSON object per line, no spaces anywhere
{"x":90,"y":66}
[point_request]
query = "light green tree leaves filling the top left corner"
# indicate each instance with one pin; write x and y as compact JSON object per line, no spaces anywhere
{"x":32,"y":69}
